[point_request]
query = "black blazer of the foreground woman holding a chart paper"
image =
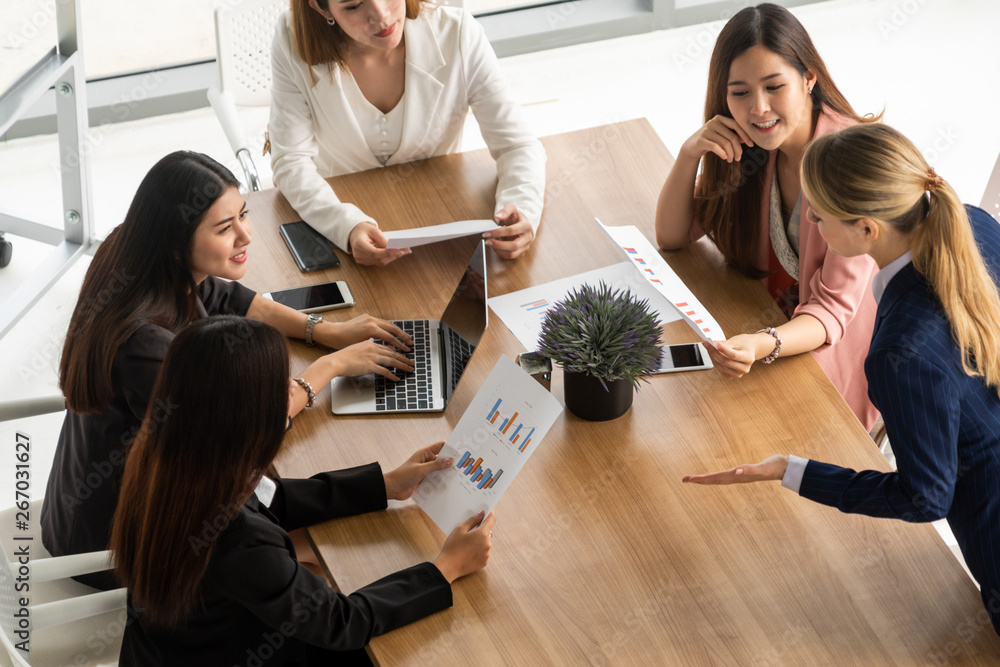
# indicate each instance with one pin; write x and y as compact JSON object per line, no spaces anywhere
{"x":258,"y":601}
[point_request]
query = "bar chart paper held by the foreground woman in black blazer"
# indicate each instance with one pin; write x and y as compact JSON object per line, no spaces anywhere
{"x":498,"y":433}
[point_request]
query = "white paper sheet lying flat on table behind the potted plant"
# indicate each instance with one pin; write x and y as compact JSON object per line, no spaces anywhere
{"x":523,"y":311}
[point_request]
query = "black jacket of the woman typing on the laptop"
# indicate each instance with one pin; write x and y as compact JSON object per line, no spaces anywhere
{"x":84,"y":481}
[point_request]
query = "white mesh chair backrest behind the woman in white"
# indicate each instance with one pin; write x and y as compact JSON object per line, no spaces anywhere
{"x":243,"y":35}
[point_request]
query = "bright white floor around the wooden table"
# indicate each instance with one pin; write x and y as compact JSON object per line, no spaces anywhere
{"x":932,"y":66}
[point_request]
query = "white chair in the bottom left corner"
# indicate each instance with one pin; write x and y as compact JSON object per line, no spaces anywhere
{"x":70,"y":624}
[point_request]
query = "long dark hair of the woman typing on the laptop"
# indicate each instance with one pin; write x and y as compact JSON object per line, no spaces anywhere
{"x":140,"y":273}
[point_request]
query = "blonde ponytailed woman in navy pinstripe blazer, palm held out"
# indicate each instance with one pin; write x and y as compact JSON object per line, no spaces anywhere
{"x":934,"y":363}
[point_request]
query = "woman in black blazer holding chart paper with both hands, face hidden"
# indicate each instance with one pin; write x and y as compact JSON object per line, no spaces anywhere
{"x":202,"y":545}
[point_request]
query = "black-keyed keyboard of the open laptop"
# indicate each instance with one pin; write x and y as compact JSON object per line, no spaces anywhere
{"x":415,"y":391}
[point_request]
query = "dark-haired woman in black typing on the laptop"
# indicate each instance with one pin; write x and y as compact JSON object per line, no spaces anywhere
{"x":185,"y":235}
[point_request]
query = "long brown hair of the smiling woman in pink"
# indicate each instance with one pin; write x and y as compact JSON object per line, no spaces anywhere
{"x":728,"y":196}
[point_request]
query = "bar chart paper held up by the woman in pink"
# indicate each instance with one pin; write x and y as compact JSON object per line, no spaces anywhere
{"x":648,"y":262}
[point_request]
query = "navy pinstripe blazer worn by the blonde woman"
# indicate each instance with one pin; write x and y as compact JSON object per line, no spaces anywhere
{"x":944,"y":426}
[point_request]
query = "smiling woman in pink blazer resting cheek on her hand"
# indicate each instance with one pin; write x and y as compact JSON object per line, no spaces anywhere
{"x":769,"y":95}
